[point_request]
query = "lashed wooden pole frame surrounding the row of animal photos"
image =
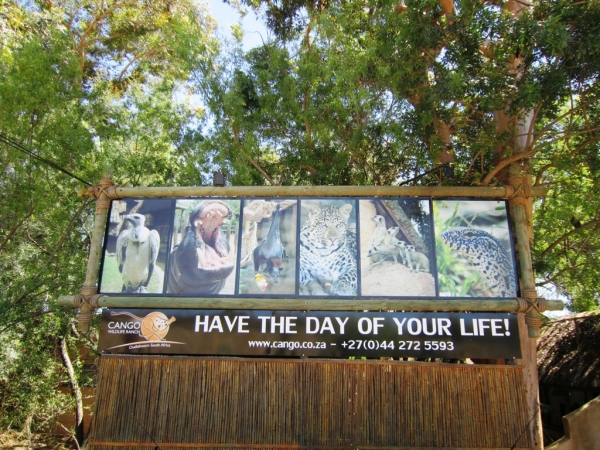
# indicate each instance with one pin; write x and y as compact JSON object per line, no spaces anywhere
{"x":519,"y":194}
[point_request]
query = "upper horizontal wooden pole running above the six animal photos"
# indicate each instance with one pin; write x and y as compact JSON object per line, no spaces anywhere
{"x":322,"y":191}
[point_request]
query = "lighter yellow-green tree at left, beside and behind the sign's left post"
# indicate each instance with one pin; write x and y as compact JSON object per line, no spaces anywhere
{"x":79,"y":81}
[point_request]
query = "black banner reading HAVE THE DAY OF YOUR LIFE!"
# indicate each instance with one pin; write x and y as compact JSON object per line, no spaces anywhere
{"x":310,"y":333}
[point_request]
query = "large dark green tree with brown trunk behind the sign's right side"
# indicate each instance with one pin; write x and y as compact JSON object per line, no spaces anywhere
{"x":376,"y":93}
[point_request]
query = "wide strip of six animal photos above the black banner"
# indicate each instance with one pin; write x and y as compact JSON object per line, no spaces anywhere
{"x":347,"y":247}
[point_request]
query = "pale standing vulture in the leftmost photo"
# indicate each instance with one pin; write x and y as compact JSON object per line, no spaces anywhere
{"x":137,"y":251}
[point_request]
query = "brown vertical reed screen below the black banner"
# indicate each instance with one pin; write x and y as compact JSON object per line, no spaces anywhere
{"x":180,"y":402}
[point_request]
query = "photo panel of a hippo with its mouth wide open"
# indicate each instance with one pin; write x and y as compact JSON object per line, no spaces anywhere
{"x":204,"y":247}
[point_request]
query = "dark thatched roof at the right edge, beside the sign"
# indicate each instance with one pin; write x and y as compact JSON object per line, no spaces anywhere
{"x":569,"y":351}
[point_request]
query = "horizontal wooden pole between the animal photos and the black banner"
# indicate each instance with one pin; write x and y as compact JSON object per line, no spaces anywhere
{"x":295,"y":304}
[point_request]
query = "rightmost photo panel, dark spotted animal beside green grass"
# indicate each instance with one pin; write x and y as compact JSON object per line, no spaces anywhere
{"x":474,"y":249}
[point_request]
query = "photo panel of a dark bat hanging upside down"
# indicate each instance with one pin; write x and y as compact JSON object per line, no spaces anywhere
{"x":268,"y":248}
